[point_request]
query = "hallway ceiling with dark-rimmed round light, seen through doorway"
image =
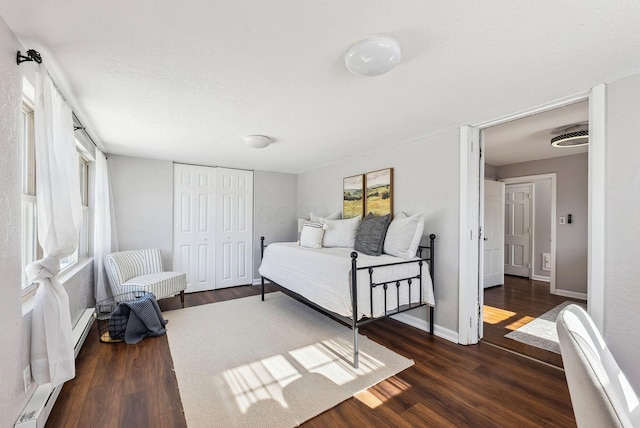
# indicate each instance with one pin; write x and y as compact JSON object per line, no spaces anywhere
{"x":529,"y":138}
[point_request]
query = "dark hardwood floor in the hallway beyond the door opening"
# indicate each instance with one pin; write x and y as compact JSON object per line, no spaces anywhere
{"x":509,"y":306}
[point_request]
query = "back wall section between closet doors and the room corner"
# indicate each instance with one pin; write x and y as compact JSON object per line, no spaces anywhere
{"x":275,"y":197}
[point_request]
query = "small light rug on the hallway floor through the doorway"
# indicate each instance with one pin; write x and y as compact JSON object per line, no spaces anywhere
{"x":541,"y":332}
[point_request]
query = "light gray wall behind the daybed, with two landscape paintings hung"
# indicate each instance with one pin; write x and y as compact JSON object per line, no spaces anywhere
{"x":426,"y":179}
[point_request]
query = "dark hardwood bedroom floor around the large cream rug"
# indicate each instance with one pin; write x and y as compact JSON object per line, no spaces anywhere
{"x":450,"y":385}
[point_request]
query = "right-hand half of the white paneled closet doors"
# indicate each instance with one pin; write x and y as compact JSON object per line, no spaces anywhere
{"x":234,"y":227}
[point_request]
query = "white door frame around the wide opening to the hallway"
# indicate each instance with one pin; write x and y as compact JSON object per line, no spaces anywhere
{"x":471,"y":194}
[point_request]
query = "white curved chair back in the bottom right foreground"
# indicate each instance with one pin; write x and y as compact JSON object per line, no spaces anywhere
{"x":600,"y":393}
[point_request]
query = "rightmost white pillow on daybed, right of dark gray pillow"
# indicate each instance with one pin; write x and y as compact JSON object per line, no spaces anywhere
{"x":404,"y":235}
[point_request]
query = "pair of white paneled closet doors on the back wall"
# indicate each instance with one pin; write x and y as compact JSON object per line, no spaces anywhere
{"x":213,"y":226}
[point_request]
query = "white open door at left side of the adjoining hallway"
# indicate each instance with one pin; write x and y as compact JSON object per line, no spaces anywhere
{"x":493,"y":231}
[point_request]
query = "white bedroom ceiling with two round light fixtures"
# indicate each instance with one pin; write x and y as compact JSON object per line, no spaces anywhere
{"x":186,"y":81}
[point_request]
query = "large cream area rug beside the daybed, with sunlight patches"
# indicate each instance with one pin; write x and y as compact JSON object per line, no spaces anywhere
{"x":275,"y":363}
